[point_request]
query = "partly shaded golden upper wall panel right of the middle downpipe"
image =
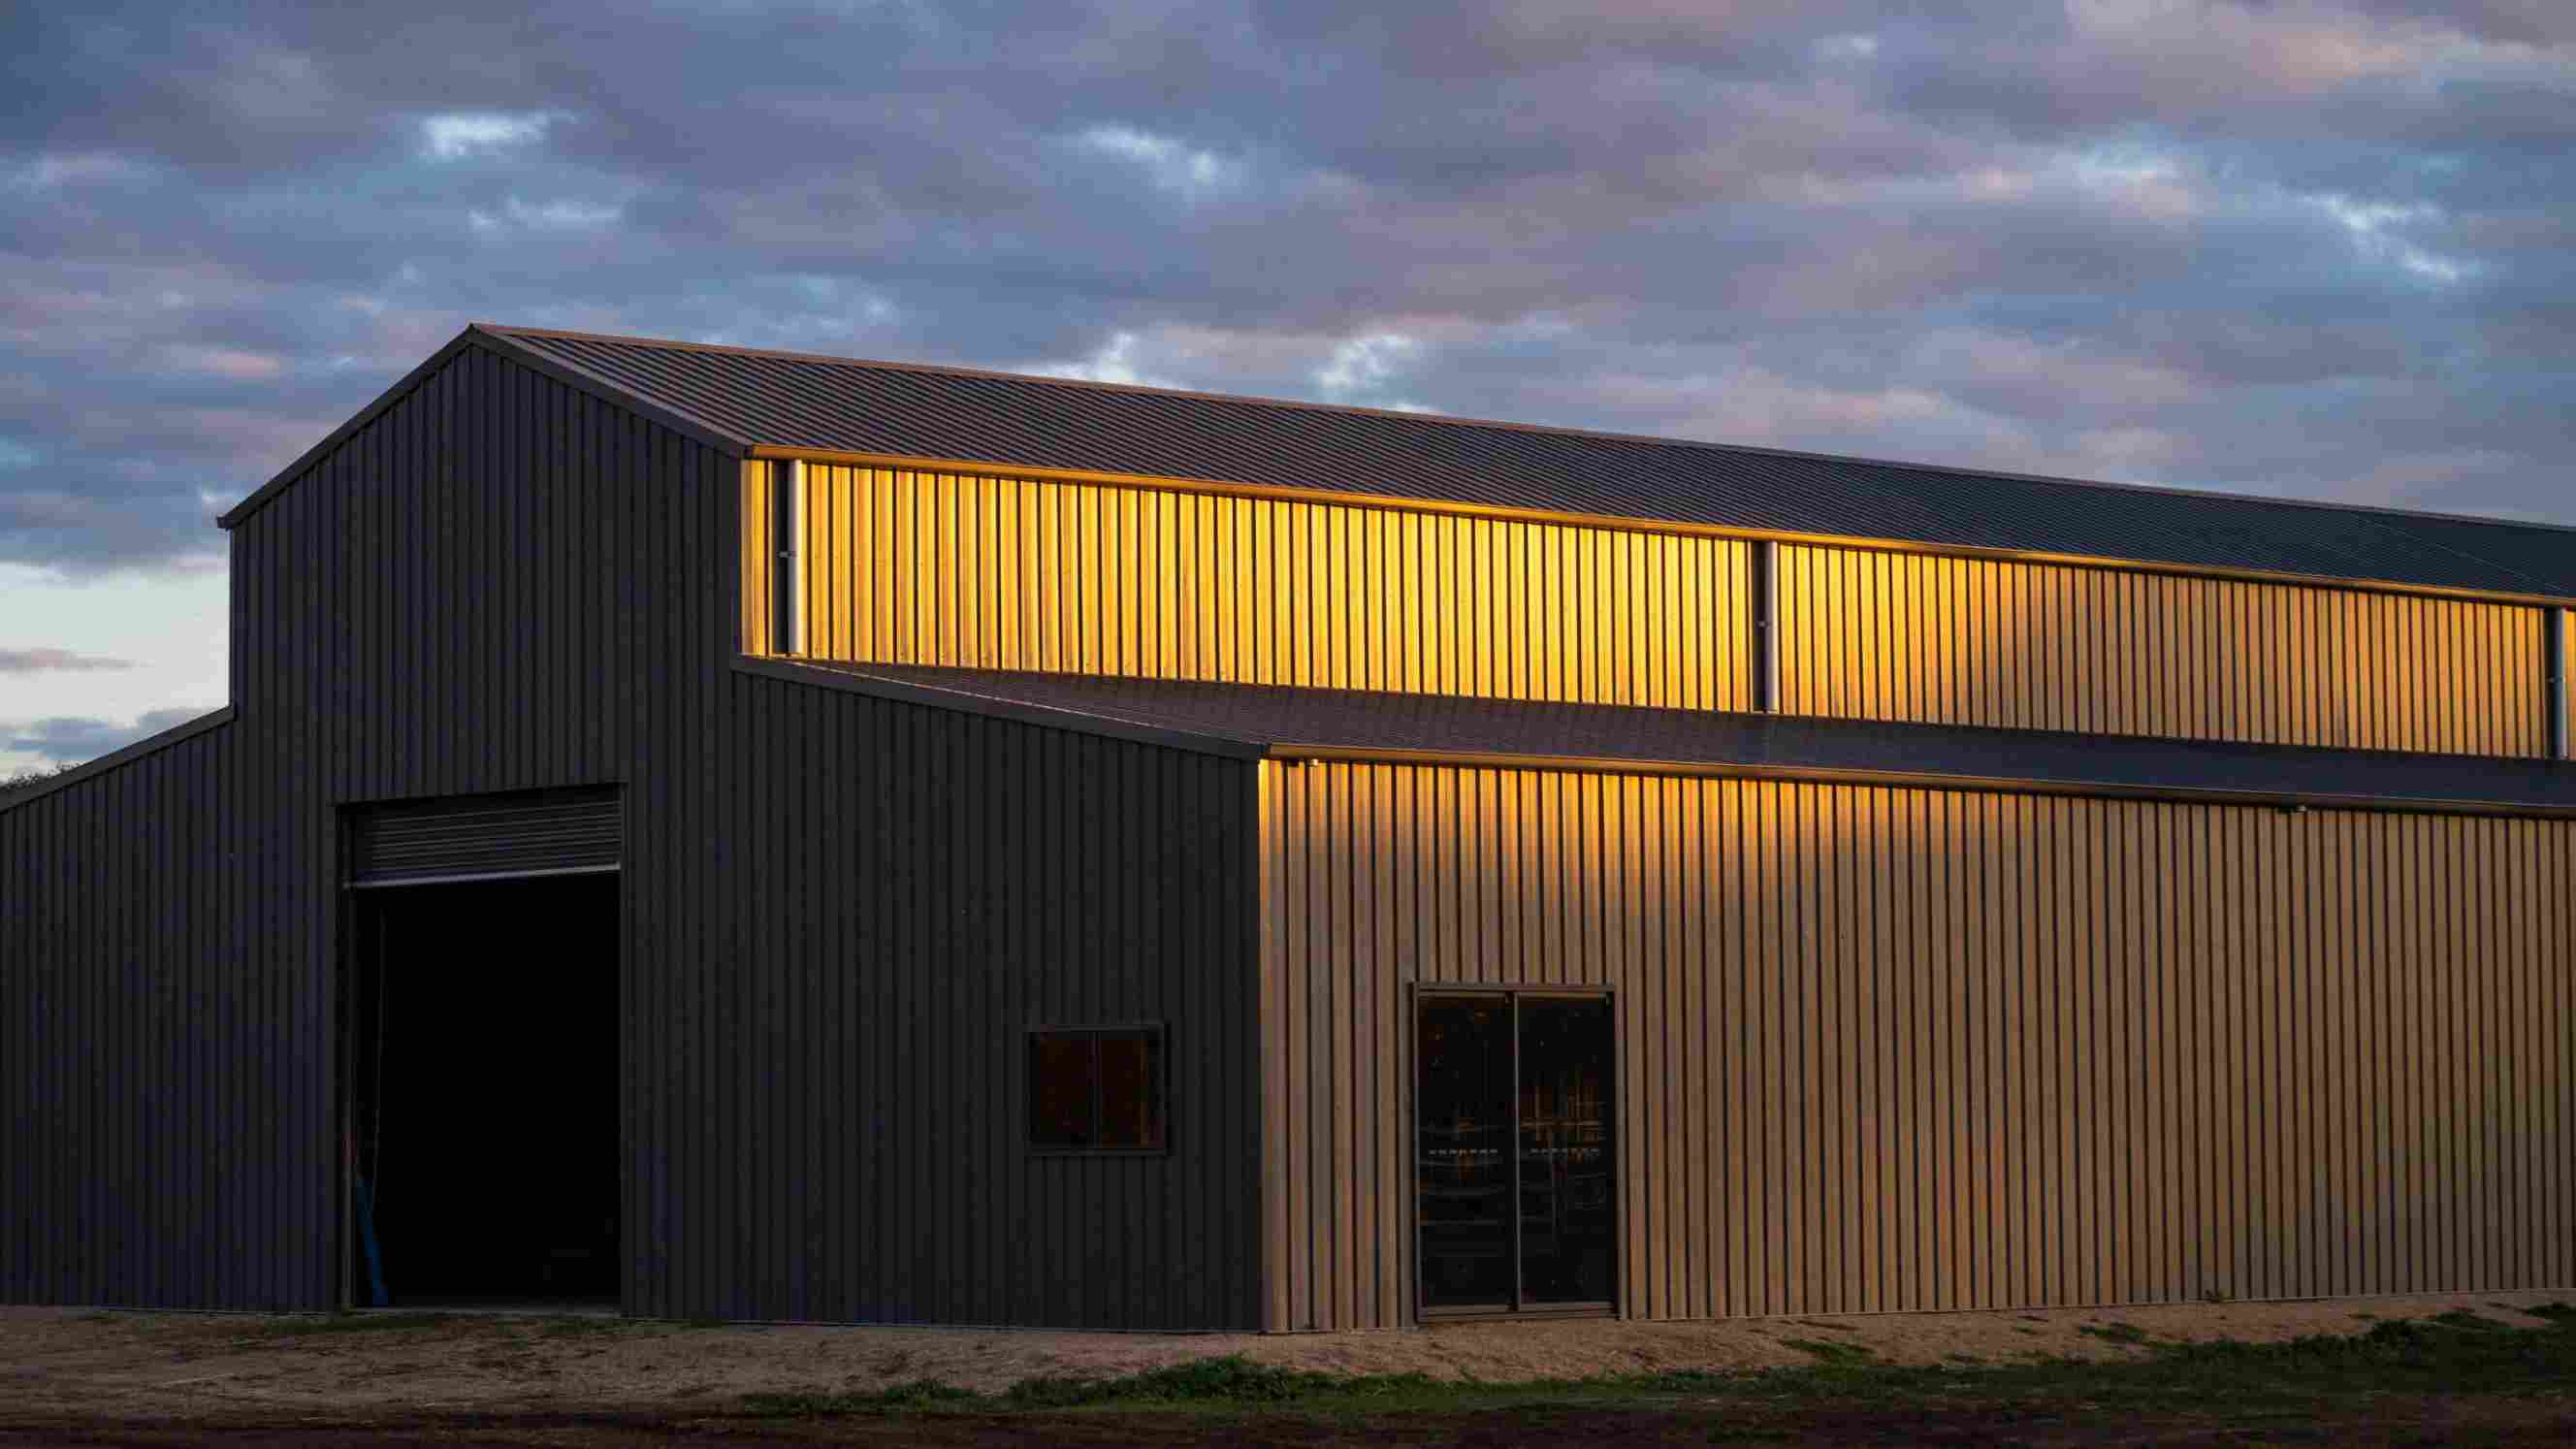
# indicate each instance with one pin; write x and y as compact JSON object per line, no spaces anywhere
{"x":1884,"y":636}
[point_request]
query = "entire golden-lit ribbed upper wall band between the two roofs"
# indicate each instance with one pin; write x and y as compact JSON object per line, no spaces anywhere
{"x":983,"y":571}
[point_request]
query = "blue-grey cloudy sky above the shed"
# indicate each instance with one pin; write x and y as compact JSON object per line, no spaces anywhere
{"x":2268,"y":246}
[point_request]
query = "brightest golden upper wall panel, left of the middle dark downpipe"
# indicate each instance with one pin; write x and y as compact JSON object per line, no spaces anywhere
{"x":1132,"y":581}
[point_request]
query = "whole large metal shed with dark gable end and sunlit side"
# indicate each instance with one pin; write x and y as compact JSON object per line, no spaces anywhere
{"x":936,"y":847}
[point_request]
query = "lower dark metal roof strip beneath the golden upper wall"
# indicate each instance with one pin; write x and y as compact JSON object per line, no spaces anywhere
{"x":1343,"y":723}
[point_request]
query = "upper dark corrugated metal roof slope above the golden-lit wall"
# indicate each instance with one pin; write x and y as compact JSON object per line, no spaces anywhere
{"x":795,"y":401}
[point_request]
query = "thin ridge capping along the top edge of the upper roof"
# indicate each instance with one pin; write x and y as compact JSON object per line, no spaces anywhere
{"x":1537,"y":429}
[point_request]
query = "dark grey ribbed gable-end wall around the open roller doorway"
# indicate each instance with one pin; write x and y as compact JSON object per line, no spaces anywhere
{"x":506,"y":584}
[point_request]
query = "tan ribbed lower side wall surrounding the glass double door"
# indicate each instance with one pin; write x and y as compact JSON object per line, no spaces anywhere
{"x":1941,"y":1051}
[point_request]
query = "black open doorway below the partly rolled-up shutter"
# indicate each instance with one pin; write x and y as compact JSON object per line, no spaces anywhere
{"x":483,"y":1113}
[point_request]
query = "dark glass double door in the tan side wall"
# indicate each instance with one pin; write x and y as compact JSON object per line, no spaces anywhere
{"x":1513,"y":1151}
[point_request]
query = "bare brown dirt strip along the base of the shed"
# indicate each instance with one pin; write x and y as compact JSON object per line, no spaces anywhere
{"x":140,"y":1370}
